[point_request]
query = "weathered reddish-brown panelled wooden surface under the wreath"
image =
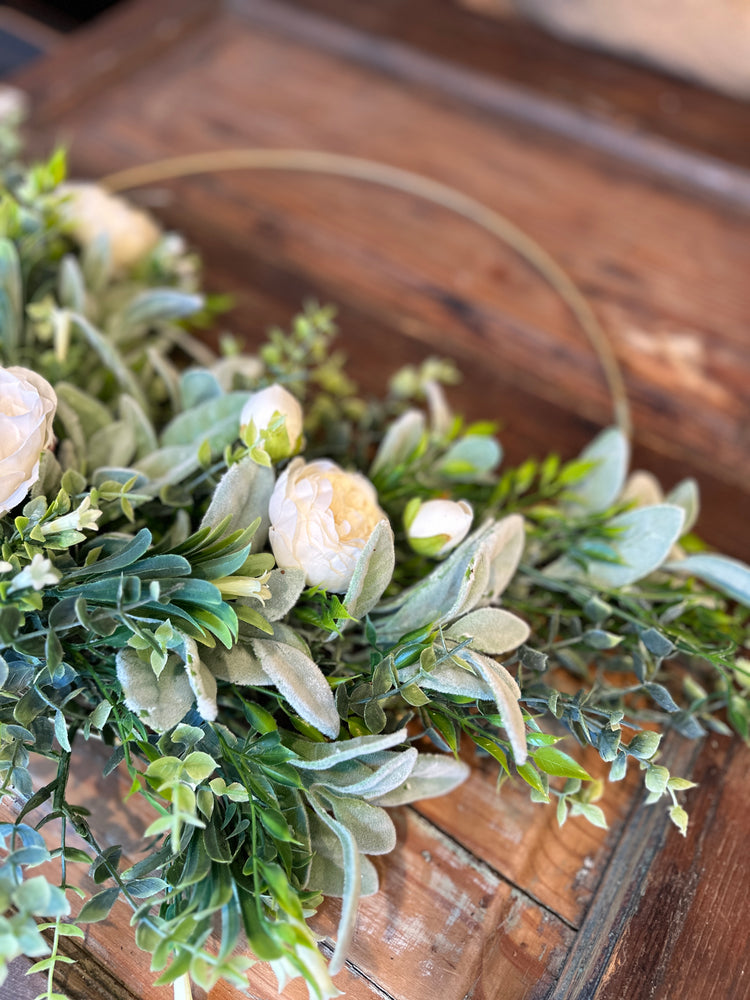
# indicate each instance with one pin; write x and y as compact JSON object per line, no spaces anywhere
{"x":484,"y":897}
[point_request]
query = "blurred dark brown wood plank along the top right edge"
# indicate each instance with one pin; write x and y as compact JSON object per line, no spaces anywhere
{"x":635,"y":100}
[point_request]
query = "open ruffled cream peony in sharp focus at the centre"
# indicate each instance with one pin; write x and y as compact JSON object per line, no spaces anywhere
{"x":321,"y":519}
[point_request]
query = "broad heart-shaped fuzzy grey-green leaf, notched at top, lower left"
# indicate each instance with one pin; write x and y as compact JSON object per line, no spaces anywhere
{"x":161,"y":703}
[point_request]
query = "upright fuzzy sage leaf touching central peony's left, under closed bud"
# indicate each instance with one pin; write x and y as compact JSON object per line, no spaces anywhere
{"x":242,"y":494}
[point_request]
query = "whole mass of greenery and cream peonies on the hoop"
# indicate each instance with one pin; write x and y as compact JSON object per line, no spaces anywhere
{"x":285,"y":609}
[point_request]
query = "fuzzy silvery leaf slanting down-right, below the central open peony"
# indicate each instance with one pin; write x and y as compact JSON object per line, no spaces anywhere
{"x":300,"y":680}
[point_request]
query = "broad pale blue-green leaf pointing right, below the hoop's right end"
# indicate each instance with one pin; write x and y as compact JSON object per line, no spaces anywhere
{"x":646,"y":536}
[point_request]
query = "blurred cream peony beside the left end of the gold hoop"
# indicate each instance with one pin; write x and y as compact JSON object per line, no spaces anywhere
{"x":91,"y":212}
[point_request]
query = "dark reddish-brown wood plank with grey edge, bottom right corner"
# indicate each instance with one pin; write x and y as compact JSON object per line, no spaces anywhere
{"x":689,"y":938}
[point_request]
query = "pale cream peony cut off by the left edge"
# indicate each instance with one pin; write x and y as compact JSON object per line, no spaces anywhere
{"x":27,"y":409}
